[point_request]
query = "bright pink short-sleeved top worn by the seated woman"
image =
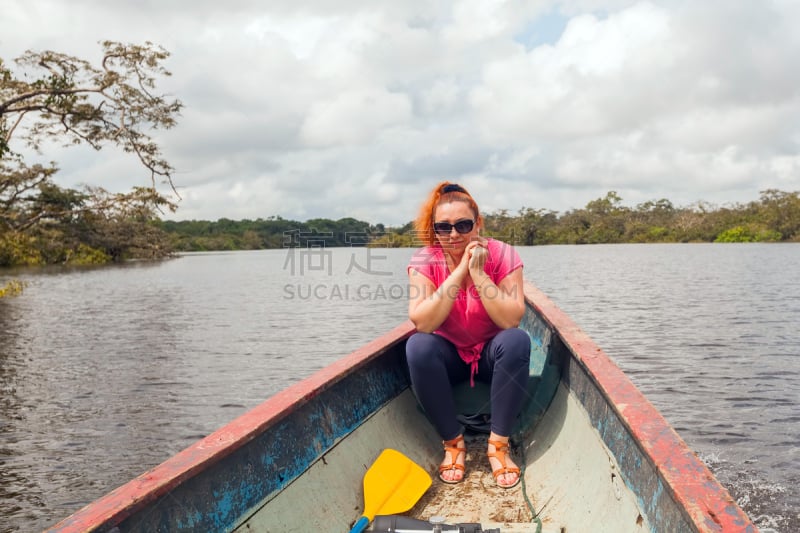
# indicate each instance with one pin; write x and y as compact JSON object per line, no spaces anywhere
{"x":468,"y":325}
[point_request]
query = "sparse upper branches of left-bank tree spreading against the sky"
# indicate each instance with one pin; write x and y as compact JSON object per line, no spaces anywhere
{"x":56,"y":96}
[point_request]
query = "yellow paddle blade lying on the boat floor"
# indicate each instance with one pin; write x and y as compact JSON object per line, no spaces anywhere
{"x":393,"y":484}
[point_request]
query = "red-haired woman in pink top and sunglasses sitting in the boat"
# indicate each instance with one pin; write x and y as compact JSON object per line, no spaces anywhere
{"x":466,"y":300}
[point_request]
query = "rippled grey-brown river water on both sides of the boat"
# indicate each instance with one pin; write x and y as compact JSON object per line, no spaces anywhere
{"x":106,"y":372}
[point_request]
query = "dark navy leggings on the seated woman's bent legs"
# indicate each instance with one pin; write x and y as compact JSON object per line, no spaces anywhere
{"x":435,"y":366}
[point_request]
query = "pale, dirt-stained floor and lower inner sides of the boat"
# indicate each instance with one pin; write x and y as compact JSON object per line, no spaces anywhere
{"x":570,"y":479}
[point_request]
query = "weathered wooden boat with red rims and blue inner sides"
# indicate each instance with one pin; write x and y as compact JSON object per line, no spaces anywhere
{"x":596,"y":455}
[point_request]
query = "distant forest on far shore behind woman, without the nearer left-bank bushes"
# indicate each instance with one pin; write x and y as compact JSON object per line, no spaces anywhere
{"x":775,"y":217}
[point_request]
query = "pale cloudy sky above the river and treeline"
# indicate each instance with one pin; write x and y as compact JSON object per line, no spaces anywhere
{"x":319,"y":108}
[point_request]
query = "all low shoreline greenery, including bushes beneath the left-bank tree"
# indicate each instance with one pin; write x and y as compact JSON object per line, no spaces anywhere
{"x":93,"y":226}
